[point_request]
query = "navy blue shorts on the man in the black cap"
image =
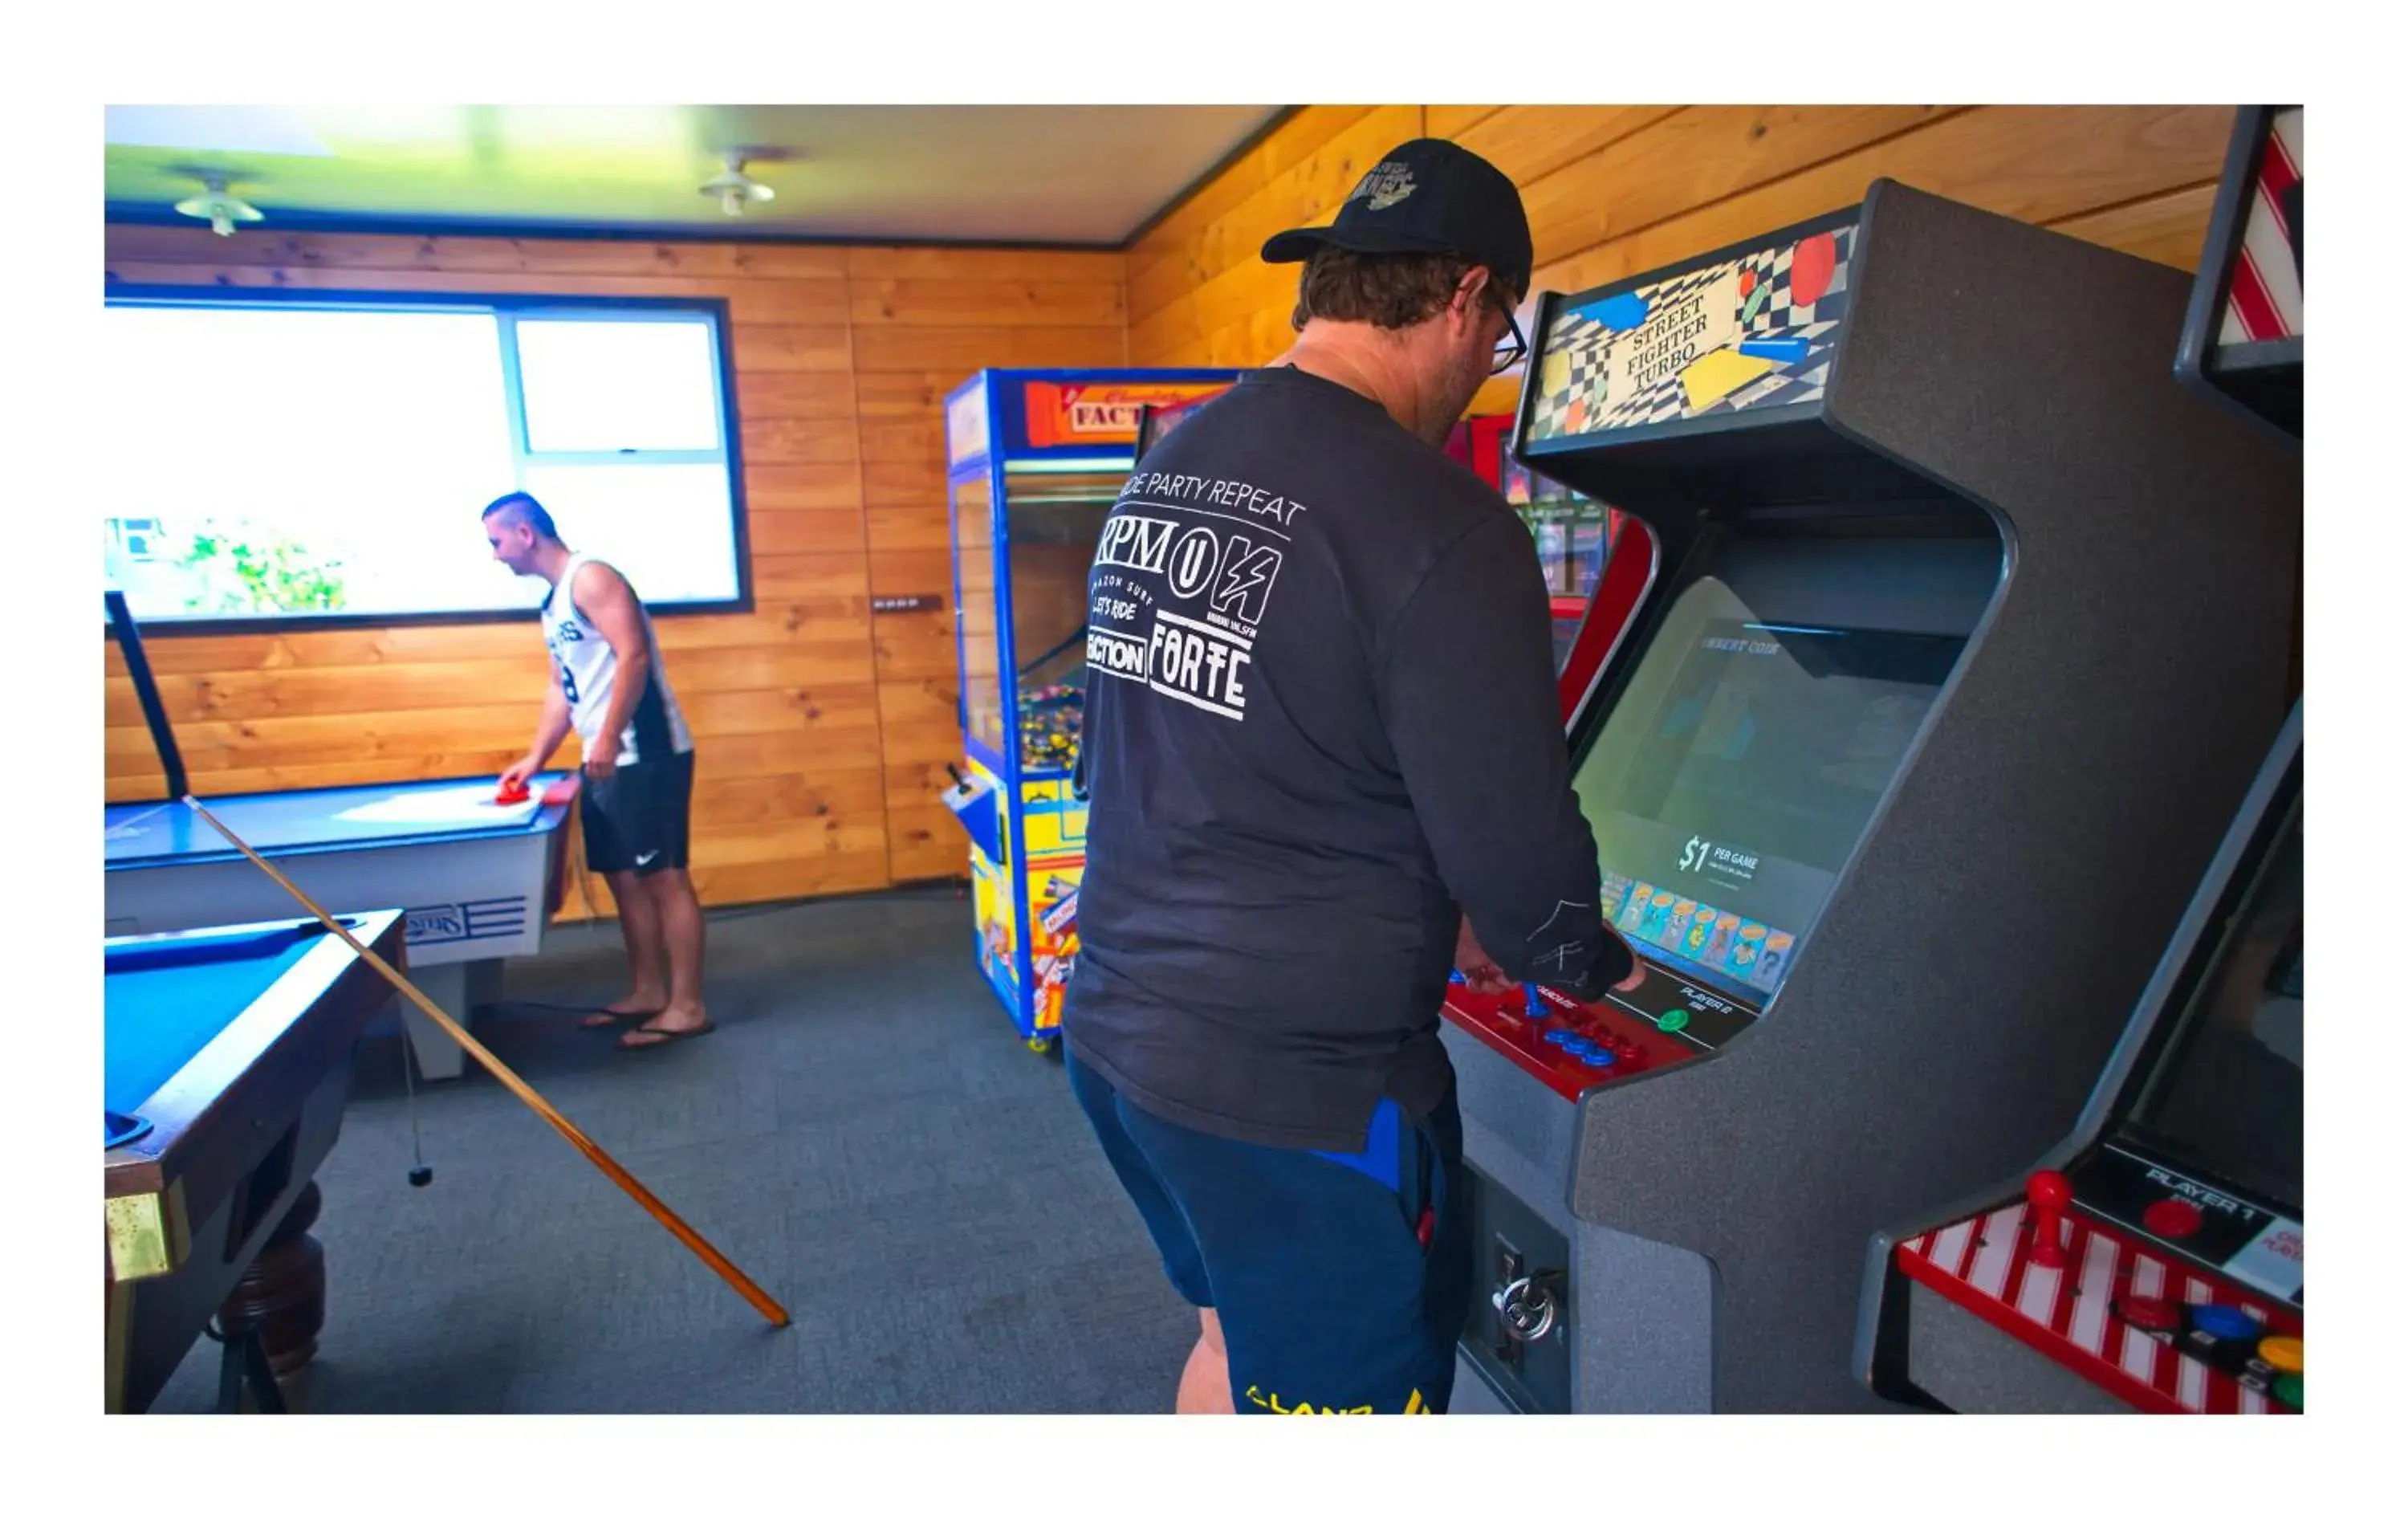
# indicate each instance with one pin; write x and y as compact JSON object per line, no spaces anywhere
{"x":1342,"y":1279}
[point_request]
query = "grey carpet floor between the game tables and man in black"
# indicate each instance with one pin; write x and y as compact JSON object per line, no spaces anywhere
{"x":866,"y":1137}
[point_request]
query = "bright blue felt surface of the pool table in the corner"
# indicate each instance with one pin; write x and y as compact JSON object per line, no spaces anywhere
{"x":165,"y":1003}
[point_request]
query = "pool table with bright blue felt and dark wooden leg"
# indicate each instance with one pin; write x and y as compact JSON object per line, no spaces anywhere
{"x":228,"y":1068}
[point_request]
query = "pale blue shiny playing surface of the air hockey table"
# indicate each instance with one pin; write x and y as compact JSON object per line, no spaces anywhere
{"x":355,"y":817}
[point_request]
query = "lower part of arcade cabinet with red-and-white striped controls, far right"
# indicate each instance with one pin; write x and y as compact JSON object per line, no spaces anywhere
{"x":2156,"y":1260}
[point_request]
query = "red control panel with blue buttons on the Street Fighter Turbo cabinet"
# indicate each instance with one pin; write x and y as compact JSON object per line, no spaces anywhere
{"x":1574,"y":1046}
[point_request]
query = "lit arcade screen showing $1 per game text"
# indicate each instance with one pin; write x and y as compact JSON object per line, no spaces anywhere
{"x":1737,"y":776}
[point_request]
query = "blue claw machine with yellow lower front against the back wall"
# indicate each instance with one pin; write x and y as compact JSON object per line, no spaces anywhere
{"x":1034,"y":463}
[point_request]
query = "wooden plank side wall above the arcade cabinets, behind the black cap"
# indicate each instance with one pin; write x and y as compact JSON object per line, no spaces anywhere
{"x":1622,"y":189}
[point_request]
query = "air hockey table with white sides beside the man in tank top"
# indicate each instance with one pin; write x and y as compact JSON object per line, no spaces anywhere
{"x":476,"y":880}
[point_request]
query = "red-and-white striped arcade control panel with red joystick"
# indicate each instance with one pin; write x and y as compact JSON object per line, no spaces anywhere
{"x":2135,"y":1277}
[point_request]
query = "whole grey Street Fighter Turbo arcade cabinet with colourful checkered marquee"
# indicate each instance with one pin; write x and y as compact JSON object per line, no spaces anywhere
{"x":1961,"y":644}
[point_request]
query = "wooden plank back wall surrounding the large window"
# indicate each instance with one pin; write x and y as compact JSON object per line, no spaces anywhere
{"x":822,"y":733}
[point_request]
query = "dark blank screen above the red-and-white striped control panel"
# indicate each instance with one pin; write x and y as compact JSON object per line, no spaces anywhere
{"x":2229,"y":1092}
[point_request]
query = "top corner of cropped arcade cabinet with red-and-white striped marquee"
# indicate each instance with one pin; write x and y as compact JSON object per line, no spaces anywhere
{"x":2243,"y":338}
